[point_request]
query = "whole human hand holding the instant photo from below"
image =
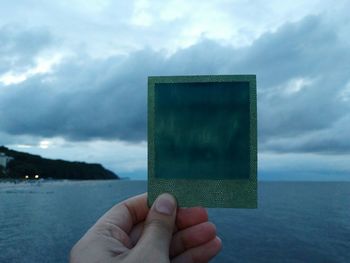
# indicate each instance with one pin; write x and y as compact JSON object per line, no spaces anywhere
{"x":131,"y":232}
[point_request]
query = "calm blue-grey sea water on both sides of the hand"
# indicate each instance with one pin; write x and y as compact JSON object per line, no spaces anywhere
{"x":295,"y":221}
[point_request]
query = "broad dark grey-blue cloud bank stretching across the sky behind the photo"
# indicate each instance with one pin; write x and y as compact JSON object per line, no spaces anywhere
{"x":87,"y":98}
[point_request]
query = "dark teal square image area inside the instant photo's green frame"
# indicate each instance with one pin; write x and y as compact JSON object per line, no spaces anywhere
{"x":202,"y":130}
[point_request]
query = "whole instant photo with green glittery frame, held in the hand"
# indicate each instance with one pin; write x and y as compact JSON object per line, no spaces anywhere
{"x":202,"y":140}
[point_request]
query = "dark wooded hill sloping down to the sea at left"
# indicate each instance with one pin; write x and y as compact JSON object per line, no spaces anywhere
{"x":28,"y":164}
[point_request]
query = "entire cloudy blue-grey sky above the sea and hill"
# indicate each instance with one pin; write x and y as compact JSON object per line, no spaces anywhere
{"x":73,"y":76}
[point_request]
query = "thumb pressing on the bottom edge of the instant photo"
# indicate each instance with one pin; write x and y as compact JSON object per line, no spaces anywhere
{"x":159,"y":225}
